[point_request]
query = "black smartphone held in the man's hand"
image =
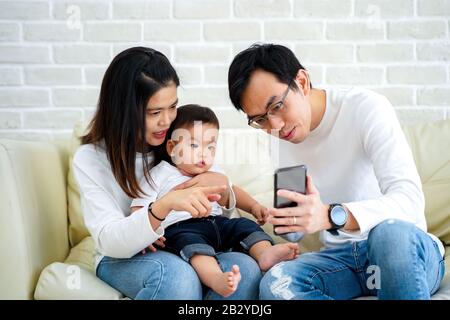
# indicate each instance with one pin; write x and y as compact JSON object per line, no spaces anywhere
{"x":290,"y":178}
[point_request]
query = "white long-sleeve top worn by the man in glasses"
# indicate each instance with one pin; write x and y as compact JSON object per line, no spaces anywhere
{"x":359,"y":156}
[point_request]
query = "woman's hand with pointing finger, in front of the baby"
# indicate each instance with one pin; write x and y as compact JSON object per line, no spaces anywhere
{"x":195,"y":200}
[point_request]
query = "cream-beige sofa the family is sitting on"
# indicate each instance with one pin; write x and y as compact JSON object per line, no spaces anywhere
{"x":46,"y":252}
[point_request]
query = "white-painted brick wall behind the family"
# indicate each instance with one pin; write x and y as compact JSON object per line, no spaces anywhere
{"x":53,"y":53}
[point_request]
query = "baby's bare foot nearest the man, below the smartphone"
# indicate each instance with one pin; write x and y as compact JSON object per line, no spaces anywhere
{"x":277,"y":253}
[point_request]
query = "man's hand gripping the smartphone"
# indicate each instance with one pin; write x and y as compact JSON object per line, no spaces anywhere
{"x":309,"y":216}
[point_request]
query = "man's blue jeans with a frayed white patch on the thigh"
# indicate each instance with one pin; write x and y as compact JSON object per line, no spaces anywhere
{"x":397,"y":261}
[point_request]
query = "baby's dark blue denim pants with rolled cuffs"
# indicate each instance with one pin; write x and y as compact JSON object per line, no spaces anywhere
{"x":207,"y":236}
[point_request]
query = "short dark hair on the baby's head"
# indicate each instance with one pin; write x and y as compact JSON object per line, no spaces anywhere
{"x":187,"y":115}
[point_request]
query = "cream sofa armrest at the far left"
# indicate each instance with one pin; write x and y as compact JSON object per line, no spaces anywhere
{"x":33,"y":214}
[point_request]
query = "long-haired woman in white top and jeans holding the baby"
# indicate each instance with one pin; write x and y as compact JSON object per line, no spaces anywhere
{"x":137,"y":104}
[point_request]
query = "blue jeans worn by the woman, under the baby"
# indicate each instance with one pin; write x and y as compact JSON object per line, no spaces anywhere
{"x":162,"y":275}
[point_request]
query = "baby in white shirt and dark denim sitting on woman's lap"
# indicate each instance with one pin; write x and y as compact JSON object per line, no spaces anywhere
{"x":189,"y":150}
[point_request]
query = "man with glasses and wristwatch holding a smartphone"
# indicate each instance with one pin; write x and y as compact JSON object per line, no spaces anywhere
{"x":366,"y":200}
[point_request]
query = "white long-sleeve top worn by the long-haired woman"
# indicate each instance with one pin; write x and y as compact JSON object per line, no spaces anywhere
{"x":106,"y":208}
